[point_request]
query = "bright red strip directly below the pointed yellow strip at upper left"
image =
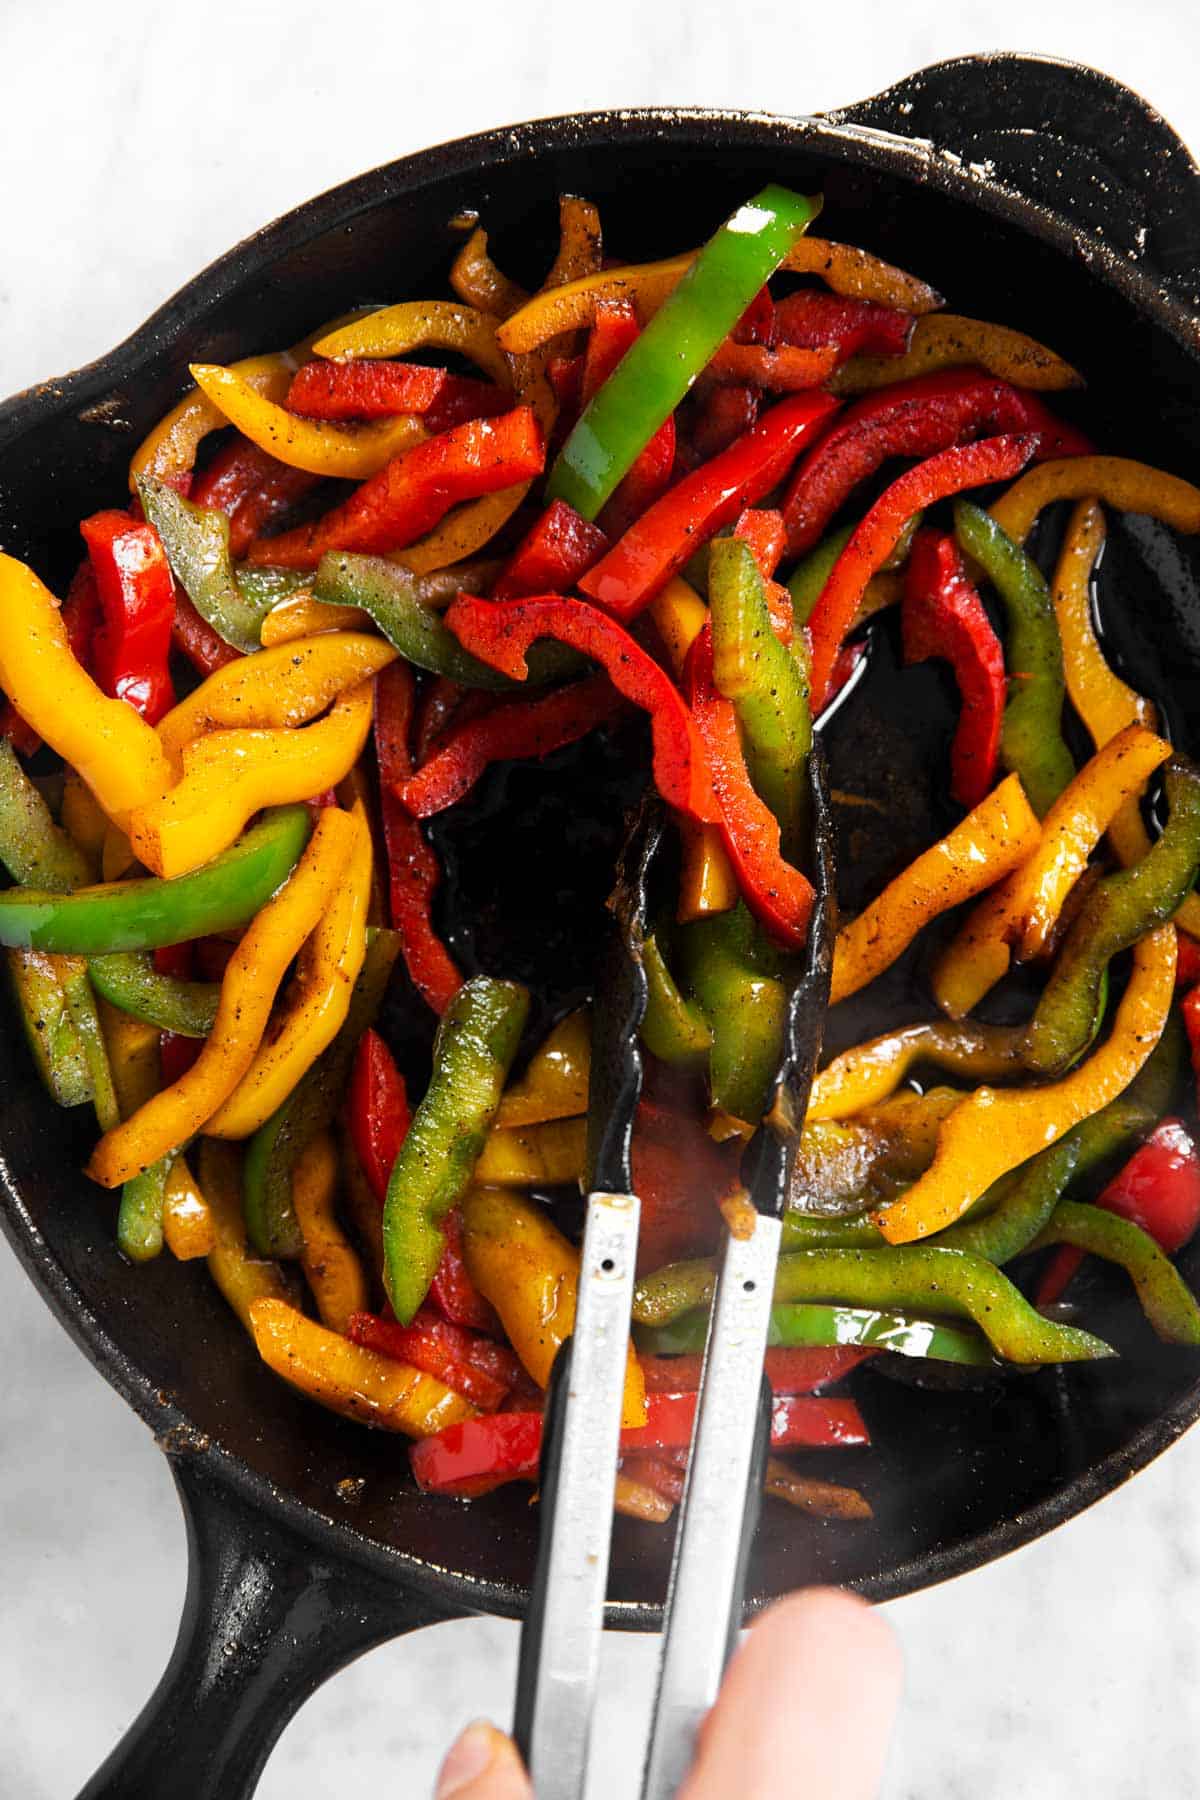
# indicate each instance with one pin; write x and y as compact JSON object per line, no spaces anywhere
{"x":416,"y":489}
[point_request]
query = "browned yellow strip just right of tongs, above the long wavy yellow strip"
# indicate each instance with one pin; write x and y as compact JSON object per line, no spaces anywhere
{"x":872,"y":1072}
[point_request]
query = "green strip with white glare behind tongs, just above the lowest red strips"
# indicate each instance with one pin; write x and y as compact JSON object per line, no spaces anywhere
{"x":812,"y":1326}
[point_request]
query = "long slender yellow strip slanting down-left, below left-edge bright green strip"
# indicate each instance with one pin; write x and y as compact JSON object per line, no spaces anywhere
{"x":253,"y":976}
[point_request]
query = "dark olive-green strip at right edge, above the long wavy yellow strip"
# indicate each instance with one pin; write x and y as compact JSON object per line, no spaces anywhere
{"x":1120,"y":910}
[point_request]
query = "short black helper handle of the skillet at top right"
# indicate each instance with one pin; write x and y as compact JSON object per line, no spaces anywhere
{"x":1066,"y":138}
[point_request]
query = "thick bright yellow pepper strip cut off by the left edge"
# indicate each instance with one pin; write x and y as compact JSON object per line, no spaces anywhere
{"x":105,"y":741}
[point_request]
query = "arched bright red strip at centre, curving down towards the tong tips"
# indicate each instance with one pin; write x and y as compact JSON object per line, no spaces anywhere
{"x":501,"y":633}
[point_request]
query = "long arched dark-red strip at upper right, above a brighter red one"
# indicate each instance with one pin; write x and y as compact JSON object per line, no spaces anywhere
{"x":913,"y":420}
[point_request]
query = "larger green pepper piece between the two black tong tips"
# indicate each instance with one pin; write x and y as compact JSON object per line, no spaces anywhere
{"x":746,"y":1005}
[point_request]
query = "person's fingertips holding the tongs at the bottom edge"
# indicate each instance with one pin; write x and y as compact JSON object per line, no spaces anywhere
{"x":807,"y":1709}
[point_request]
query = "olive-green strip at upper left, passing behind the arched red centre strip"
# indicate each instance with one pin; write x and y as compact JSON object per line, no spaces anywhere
{"x":390,"y":595}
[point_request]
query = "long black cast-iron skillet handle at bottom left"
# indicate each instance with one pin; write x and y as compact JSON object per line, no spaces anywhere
{"x":267,"y":1619}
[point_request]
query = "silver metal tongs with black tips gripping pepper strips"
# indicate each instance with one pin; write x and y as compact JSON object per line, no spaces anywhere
{"x":562,"y":1637}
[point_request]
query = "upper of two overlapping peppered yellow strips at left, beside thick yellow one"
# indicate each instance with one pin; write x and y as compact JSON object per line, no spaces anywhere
{"x":276,"y":688}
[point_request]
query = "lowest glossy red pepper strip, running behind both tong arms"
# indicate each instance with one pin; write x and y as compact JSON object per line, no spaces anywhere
{"x":483,"y":1453}
